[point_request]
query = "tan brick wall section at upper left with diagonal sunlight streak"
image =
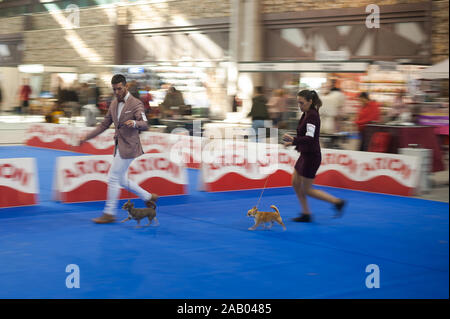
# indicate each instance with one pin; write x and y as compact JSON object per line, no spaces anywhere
{"x":49,"y":41}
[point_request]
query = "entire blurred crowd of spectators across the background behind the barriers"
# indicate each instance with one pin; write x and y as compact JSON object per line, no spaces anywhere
{"x":268,"y":110}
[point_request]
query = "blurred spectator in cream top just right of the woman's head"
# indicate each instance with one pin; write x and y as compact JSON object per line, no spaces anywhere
{"x":331,"y":111}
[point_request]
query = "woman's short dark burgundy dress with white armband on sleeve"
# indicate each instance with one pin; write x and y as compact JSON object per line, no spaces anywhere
{"x":307,"y":143}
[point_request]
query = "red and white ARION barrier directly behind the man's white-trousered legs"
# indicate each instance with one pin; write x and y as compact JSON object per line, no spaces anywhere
{"x":84,"y":178}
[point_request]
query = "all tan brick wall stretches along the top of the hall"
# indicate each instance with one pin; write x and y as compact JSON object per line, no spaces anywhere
{"x":46,"y":41}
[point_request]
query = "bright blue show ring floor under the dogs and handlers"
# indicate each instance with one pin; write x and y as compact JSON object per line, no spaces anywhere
{"x":203,"y":249}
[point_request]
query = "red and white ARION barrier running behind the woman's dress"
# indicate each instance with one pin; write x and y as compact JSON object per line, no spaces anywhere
{"x":227,"y":169}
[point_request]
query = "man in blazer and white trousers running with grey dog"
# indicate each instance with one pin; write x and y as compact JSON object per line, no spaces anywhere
{"x":127,"y":114}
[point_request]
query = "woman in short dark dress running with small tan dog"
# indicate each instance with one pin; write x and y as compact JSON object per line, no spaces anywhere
{"x":307,"y":143}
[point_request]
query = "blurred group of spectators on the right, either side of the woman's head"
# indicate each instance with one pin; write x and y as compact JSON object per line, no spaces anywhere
{"x":335,"y":118}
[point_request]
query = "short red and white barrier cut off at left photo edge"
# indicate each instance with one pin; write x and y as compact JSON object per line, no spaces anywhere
{"x":18,"y":182}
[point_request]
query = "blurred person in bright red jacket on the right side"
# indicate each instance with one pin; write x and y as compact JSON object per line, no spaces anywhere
{"x":368,"y":113}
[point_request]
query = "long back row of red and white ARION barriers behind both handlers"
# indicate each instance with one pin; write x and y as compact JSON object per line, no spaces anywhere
{"x":227,"y":170}
